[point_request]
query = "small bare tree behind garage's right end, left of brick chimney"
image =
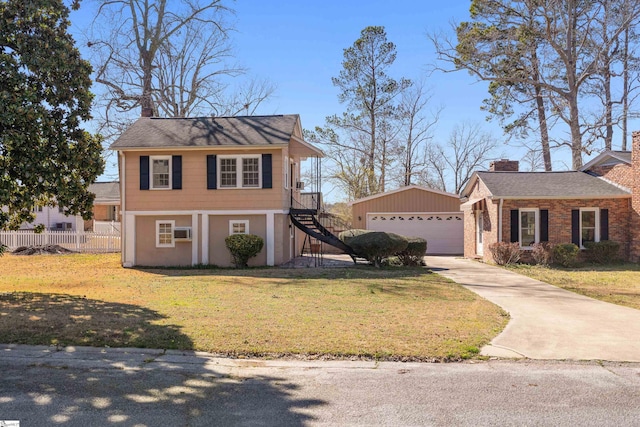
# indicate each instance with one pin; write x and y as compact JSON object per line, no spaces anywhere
{"x":468,"y":149}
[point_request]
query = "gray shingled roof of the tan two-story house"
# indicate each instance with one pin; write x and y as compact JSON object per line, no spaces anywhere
{"x":155,"y":132}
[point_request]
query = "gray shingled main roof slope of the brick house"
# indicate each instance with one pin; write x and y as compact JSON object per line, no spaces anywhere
{"x":528,"y":185}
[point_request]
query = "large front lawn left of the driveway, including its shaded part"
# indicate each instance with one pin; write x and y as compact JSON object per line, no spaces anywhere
{"x":389,"y":314}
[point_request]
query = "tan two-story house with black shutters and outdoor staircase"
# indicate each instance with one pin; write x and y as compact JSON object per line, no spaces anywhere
{"x":188,"y":183}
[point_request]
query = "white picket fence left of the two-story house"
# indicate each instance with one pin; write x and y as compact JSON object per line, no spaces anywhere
{"x":79,"y":241}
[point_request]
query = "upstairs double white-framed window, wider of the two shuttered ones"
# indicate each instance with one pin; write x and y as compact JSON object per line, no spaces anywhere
{"x":239,"y":171}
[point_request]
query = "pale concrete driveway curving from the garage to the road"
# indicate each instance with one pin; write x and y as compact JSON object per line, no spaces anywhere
{"x":547,"y":322}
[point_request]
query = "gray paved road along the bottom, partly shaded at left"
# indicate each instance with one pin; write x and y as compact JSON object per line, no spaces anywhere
{"x":133,"y":387}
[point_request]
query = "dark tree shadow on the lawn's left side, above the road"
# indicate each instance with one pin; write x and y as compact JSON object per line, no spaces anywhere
{"x":61,"y":319}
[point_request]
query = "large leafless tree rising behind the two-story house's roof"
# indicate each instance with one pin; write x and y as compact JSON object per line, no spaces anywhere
{"x":169,"y":58}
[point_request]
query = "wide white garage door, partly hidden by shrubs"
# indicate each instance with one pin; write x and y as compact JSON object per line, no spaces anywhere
{"x":444,"y":231}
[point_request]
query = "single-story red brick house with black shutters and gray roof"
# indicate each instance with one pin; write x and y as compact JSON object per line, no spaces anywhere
{"x":601,"y":201}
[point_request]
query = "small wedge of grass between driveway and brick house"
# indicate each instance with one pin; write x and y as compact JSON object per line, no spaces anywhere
{"x":617,"y":283}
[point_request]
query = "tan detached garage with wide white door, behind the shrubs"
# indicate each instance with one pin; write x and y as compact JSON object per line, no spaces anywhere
{"x":416,"y":212}
